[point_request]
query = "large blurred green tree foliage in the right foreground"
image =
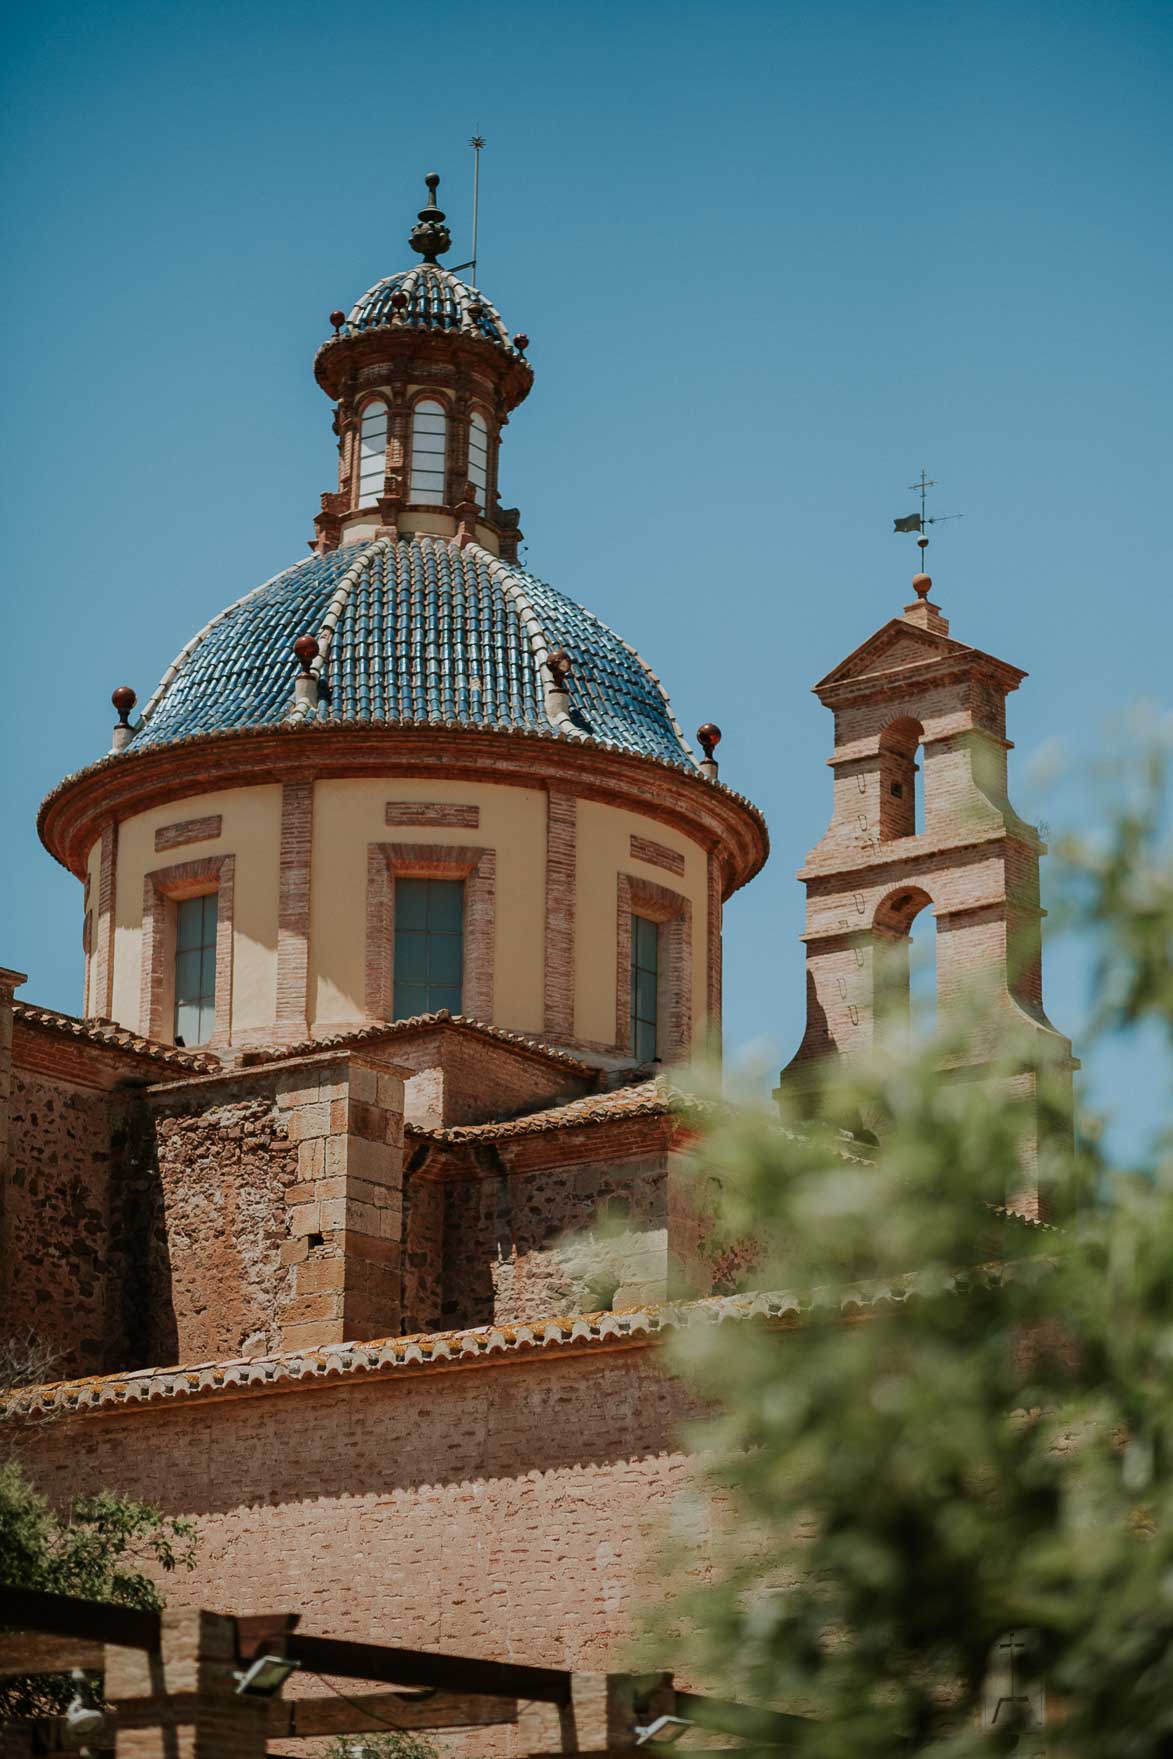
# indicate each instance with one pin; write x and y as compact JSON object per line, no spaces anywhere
{"x":958,"y":1431}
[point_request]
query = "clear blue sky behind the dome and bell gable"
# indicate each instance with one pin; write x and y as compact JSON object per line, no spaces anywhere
{"x":773,"y":259}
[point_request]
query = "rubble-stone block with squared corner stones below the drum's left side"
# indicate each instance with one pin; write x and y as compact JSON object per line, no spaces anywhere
{"x":279,"y":1213}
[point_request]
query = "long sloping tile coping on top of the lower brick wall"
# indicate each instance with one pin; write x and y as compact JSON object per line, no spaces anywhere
{"x":479,"y":1345}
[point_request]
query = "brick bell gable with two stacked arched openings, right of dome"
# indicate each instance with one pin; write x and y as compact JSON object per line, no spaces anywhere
{"x":922,"y":829}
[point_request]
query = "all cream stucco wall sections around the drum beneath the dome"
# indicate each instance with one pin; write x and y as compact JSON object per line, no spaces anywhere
{"x":347,"y":819}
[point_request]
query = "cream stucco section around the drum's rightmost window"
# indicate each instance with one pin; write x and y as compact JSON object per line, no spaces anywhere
{"x":604,"y":854}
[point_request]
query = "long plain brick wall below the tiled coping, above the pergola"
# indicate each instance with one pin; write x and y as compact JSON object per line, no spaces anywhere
{"x":504,"y":1510}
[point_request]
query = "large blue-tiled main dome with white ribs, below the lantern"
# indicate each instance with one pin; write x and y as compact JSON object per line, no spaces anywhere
{"x":416,"y":631}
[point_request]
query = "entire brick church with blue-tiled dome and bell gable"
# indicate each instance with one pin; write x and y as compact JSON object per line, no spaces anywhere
{"x":358,"y":1195}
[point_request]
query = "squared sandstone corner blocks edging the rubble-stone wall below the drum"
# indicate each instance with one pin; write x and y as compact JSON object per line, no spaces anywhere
{"x":346,"y":1213}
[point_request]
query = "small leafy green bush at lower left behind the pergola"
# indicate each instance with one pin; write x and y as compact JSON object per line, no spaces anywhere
{"x":98,"y":1552}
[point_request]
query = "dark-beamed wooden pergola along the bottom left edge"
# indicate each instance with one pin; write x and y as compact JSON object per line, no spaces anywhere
{"x":178,"y":1688}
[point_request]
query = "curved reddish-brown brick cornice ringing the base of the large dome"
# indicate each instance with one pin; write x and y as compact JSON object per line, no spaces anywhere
{"x":133,"y":782}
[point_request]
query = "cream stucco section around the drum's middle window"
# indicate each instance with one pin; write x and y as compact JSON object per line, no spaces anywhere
{"x":351,"y":815}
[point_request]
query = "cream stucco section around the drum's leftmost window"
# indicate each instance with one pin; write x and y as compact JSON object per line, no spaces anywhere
{"x":252,"y":833}
